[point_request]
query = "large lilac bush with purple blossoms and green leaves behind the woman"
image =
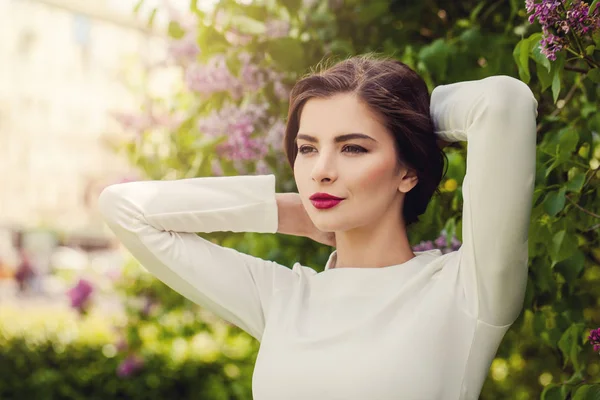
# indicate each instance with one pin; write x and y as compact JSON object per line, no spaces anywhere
{"x":237,"y":66}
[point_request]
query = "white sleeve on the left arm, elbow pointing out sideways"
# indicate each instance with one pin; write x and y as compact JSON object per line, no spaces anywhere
{"x":157,"y":222}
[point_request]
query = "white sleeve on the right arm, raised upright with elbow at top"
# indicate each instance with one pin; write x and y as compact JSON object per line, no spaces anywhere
{"x":497,"y":118}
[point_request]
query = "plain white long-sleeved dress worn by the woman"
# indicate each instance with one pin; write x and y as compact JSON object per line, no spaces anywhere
{"x":422,"y":330}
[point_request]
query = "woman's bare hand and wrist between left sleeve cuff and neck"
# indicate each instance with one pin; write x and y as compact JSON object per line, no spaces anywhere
{"x":294,"y":220}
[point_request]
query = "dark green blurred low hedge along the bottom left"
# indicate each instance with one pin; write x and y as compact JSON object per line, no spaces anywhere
{"x":81,"y":372}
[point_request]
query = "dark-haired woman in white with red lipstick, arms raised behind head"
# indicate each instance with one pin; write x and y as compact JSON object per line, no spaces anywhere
{"x":380,"y":322}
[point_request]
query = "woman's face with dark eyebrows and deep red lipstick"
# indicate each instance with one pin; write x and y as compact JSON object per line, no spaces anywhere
{"x":345,"y":151}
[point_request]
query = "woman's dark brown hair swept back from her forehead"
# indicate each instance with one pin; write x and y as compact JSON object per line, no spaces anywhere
{"x":400,"y":97}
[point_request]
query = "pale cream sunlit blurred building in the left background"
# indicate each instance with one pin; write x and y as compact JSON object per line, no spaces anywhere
{"x":65,"y":65}
